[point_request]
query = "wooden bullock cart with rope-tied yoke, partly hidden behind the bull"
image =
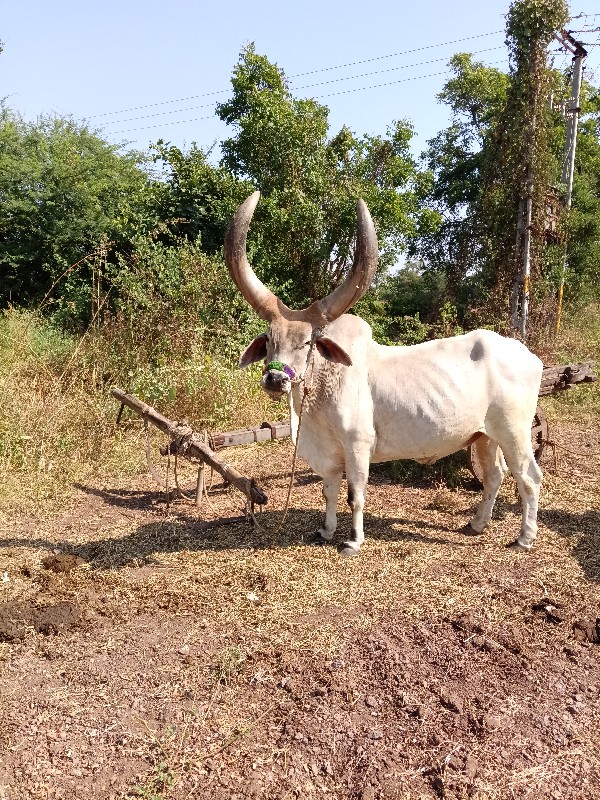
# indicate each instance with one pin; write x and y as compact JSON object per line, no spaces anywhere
{"x":202,"y":449}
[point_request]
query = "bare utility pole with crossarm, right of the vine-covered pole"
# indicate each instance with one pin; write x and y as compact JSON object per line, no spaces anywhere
{"x":579,"y":53}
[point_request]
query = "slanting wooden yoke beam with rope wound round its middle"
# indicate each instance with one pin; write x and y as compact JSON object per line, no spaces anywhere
{"x":190,"y":444}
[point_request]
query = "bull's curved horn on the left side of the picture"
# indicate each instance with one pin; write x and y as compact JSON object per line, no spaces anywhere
{"x":262,"y":300}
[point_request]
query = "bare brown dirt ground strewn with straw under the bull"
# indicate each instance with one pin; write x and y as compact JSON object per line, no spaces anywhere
{"x":143,"y":655}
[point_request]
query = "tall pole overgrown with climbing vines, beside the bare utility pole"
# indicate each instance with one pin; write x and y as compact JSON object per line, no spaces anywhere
{"x":522,"y":165}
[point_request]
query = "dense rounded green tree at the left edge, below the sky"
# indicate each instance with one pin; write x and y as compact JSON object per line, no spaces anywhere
{"x":62,"y":191}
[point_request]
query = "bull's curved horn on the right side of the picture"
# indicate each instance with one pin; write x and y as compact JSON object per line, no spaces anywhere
{"x":363,"y":269}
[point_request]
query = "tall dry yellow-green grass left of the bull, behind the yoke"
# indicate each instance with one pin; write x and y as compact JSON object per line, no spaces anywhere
{"x":57,"y":415}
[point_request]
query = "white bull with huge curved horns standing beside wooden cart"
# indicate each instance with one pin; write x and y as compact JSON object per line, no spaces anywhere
{"x":368,"y":402}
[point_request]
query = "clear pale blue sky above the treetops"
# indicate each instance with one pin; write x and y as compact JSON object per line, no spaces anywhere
{"x":102,"y":61}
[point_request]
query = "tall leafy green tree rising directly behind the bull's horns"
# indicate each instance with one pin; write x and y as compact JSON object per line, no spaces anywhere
{"x":303,"y":235}
